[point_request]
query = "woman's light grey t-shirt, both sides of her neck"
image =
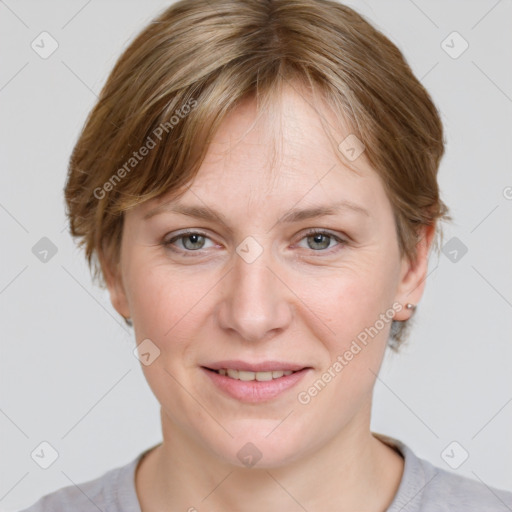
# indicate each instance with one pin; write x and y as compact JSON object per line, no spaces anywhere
{"x":423,"y":488}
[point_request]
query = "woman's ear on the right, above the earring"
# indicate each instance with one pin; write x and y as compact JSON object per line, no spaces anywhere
{"x":413,"y":275}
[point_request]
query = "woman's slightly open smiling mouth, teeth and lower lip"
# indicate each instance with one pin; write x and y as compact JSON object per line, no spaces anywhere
{"x":251,"y":386}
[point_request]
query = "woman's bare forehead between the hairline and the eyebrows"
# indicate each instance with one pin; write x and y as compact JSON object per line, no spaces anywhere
{"x":284,"y":155}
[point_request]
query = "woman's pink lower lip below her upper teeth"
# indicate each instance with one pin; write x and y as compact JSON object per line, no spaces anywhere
{"x":254,"y":391}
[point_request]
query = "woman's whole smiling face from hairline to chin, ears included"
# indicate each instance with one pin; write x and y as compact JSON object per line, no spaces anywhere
{"x":261,"y":289}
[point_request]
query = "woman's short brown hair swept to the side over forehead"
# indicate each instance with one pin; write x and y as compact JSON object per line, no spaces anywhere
{"x":197,"y":60}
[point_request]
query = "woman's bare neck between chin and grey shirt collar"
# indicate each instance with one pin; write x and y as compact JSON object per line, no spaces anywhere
{"x":353,"y":471}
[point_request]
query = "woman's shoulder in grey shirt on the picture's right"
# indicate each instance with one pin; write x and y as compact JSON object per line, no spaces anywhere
{"x":428,"y":488}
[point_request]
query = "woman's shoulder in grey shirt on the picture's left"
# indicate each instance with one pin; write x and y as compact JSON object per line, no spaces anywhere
{"x":113,"y":490}
